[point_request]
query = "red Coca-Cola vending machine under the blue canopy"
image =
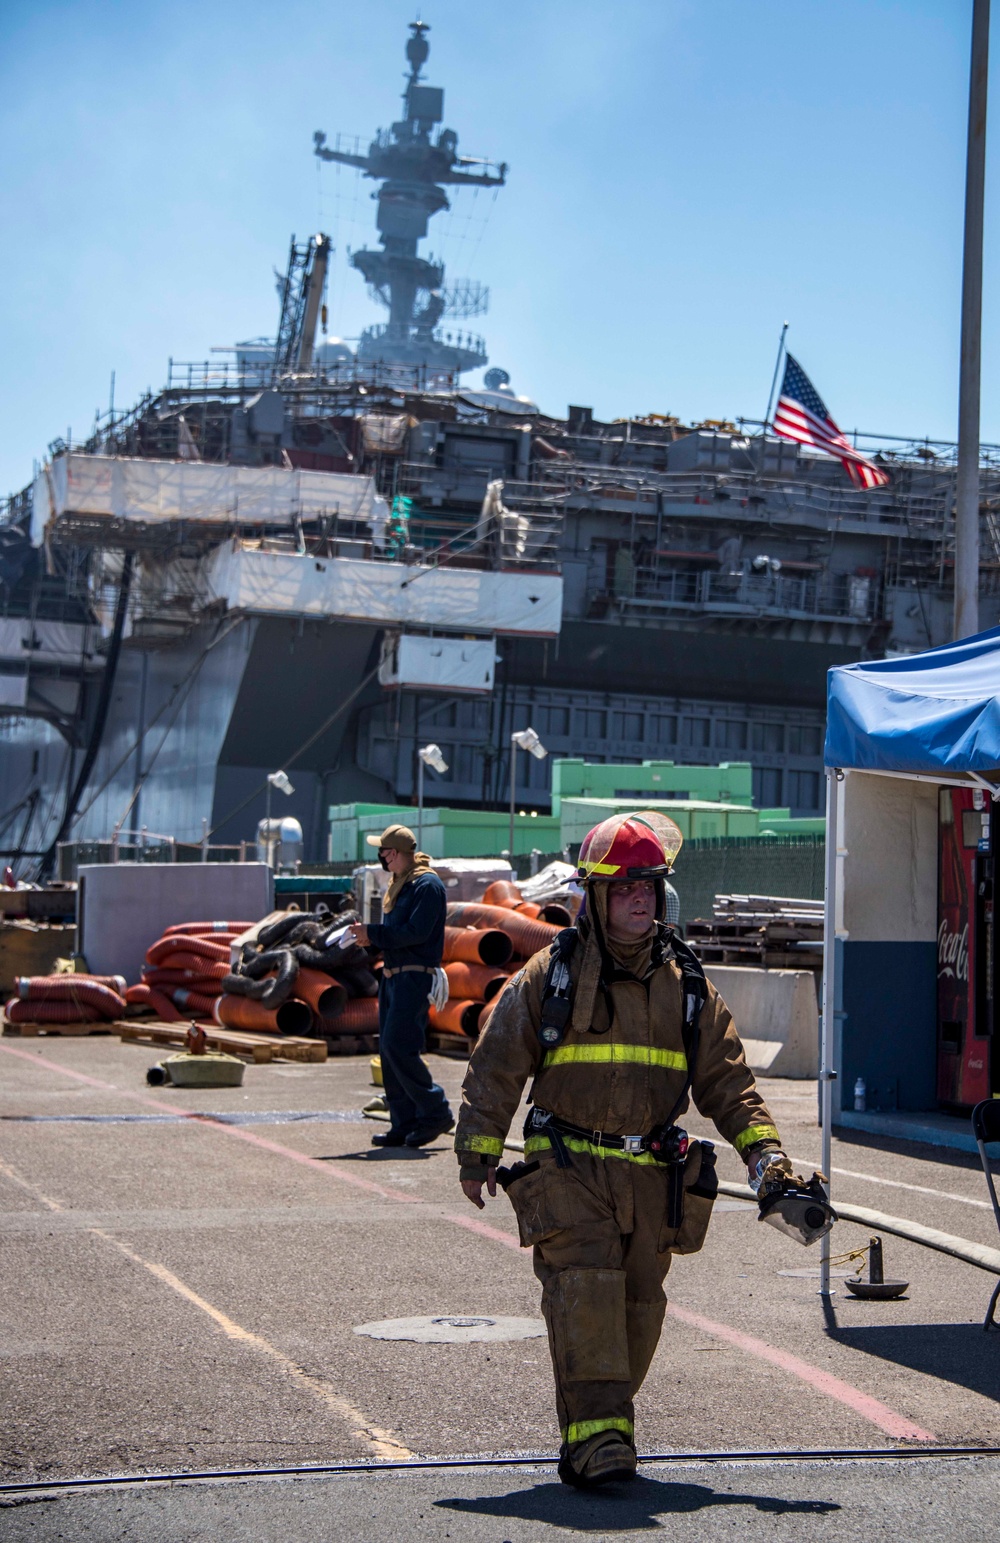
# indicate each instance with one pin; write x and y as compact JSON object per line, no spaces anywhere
{"x":967,"y":957}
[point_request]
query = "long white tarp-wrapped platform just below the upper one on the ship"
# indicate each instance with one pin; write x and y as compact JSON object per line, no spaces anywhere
{"x":346,"y":589}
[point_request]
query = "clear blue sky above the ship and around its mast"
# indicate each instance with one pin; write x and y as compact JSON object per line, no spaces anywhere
{"x":683,"y":178}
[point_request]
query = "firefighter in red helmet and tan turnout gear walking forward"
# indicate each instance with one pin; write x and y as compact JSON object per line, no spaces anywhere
{"x":615,"y":1027}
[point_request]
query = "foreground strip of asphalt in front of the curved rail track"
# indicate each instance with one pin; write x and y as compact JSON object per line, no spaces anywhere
{"x":691,"y":1504}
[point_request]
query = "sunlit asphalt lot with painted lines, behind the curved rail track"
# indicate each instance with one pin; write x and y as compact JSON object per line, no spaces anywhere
{"x":186,"y":1271}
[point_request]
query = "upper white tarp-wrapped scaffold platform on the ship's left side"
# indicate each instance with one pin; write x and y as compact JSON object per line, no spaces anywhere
{"x":120,"y":488}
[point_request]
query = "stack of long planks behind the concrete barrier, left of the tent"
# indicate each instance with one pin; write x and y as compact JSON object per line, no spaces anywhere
{"x":769,"y":931}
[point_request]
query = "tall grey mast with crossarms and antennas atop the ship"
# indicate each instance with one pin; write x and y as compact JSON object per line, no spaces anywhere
{"x":414,"y":167}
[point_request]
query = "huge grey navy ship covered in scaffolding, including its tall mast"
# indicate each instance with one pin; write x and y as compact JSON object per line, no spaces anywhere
{"x":309,"y":558}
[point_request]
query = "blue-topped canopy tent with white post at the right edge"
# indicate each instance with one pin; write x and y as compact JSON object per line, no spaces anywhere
{"x":928,"y":720}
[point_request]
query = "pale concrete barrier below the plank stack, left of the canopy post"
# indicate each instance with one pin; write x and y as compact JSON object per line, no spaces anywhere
{"x":777,"y":1016}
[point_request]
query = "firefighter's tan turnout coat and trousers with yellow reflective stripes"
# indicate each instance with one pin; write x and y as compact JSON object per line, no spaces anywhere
{"x":598,"y":1227}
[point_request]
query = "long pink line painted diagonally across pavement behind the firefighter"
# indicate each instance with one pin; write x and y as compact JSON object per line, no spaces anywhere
{"x":871,"y":1410}
